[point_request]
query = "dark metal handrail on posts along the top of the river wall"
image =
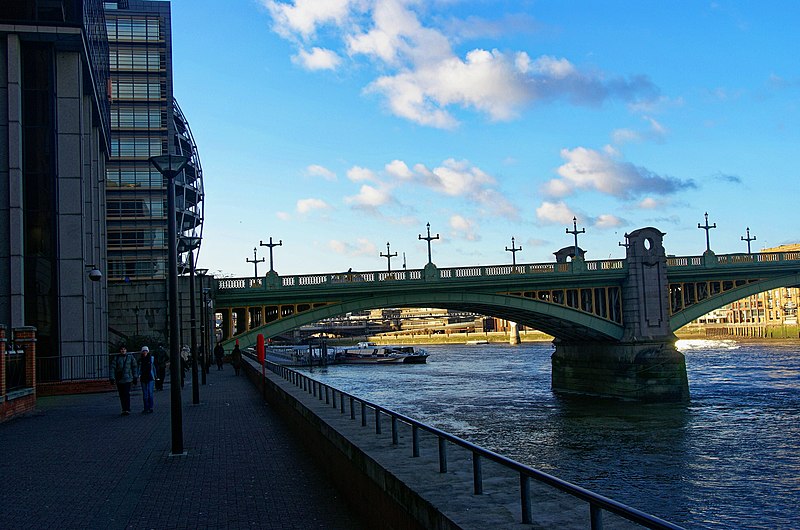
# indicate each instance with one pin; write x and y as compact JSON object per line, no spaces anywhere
{"x":597,"y":502}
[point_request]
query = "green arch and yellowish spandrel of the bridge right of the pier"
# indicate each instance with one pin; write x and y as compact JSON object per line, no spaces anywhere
{"x":703,"y":298}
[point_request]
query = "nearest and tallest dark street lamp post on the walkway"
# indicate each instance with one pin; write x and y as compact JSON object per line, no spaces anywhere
{"x":169,"y":166}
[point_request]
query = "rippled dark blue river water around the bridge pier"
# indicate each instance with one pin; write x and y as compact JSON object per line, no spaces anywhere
{"x":728,"y":459}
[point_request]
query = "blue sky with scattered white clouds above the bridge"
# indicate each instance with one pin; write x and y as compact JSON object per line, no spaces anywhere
{"x":337,"y":126}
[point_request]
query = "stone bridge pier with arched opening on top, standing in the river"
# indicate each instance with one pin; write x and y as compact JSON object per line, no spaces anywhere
{"x":644,"y":365}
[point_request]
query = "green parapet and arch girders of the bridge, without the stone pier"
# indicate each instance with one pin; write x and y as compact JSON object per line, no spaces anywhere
{"x":499,"y":291}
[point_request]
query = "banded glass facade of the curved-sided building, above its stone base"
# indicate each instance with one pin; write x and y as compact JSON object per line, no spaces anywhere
{"x":145,"y":122}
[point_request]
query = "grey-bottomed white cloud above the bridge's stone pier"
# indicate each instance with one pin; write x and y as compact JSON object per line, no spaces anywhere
{"x":588,"y":169}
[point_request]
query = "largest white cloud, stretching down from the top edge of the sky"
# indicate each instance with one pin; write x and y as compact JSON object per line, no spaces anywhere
{"x":425,"y":79}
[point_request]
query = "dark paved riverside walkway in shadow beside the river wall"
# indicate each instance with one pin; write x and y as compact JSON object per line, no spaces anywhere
{"x":76,"y":463}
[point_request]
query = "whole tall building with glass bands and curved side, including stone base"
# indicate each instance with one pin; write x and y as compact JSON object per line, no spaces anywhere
{"x":146,"y":121}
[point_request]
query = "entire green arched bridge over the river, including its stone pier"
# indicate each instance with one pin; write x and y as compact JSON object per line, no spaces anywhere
{"x":613,"y":320}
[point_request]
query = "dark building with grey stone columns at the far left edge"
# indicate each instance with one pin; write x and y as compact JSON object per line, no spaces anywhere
{"x":54,"y":141}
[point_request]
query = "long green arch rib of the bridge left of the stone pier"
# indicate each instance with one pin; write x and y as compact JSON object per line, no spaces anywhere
{"x":559,"y":321}
